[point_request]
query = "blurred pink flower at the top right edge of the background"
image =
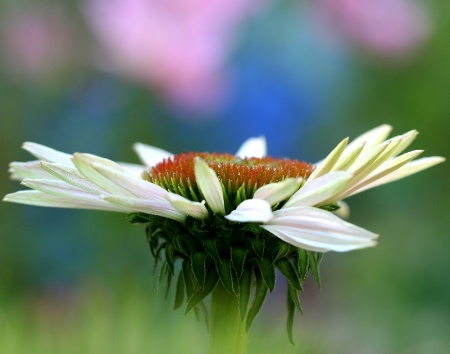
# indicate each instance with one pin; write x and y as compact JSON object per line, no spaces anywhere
{"x":389,"y":28}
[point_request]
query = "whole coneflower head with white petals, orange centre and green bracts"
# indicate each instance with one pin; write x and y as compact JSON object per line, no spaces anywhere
{"x":228,"y":218}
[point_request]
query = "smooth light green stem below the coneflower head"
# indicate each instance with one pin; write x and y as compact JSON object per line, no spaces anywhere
{"x":227,"y":331}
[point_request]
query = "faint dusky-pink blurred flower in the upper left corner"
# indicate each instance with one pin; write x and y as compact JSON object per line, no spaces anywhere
{"x":37,"y":42}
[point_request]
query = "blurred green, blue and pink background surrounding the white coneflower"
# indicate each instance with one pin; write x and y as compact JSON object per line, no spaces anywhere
{"x":188,"y":75}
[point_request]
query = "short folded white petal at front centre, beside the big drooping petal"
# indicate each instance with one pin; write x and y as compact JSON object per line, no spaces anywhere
{"x":251,"y":210}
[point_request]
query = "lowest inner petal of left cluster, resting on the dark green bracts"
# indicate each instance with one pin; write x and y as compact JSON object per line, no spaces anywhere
{"x":159,"y":208}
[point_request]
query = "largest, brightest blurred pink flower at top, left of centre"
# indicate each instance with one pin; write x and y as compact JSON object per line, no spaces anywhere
{"x":178,"y":46}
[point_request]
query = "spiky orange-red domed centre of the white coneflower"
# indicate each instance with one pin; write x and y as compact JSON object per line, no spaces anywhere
{"x":238,"y":176}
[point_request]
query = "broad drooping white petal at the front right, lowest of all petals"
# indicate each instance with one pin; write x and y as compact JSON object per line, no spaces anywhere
{"x":318,"y":230}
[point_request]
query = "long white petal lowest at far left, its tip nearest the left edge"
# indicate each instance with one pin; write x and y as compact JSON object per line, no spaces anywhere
{"x":38,"y":198}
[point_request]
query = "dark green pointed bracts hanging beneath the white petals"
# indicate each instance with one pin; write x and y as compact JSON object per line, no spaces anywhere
{"x":243,"y":257}
